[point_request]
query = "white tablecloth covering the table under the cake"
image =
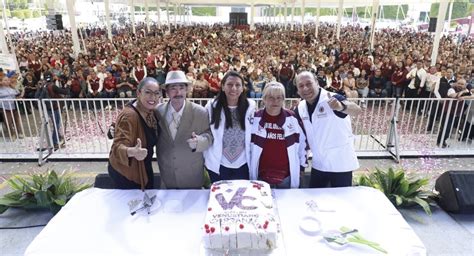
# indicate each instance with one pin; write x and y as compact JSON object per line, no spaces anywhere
{"x":98,"y":222}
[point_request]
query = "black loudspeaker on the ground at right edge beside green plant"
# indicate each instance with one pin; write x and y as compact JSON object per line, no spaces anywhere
{"x":456,"y":191}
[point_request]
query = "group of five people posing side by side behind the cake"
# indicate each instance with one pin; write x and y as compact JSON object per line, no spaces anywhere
{"x":230,"y":138}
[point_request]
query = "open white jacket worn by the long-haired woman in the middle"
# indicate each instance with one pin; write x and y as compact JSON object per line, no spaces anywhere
{"x":213,"y":155}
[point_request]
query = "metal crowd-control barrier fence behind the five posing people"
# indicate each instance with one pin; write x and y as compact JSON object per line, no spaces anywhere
{"x":77,"y":128}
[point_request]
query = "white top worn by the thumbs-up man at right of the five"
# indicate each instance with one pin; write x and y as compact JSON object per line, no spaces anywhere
{"x":329,"y":137}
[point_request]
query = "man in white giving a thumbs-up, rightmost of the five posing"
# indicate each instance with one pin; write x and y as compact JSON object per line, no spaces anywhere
{"x":326,"y":120}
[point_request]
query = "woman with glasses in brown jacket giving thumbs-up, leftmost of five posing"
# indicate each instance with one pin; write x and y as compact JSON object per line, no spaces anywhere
{"x":136,"y":134}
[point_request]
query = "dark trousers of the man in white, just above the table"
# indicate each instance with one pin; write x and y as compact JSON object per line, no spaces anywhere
{"x":320,"y":179}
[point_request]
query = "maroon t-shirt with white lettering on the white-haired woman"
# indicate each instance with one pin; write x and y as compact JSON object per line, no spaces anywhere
{"x":274,"y":165}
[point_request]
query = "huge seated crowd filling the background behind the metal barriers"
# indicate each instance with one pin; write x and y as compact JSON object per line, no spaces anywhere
{"x":398,"y":66}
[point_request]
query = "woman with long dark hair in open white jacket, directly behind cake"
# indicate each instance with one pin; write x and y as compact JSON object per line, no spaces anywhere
{"x":231,"y":117}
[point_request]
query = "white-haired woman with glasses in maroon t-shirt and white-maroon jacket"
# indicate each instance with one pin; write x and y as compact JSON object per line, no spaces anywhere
{"x":278,"y":143}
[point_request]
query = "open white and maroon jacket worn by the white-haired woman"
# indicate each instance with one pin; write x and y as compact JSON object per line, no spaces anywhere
{"x":295,"y":141}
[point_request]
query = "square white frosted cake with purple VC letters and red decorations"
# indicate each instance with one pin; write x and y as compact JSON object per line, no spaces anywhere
{"x":240,"y":215}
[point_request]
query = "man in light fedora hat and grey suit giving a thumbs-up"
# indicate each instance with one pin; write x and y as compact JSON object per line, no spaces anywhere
{"x":185,"y":134}
